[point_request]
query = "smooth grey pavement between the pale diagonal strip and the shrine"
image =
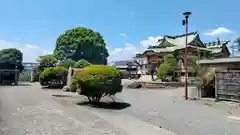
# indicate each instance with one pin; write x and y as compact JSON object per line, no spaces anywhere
{"x":167,"y":108}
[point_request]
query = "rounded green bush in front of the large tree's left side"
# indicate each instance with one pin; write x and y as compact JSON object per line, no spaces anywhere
{"x":53,"y":74}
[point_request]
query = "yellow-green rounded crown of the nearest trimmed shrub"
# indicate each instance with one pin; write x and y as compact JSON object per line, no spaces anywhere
{"x":97,"y":79}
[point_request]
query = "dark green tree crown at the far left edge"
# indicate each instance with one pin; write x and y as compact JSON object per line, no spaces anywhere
{"x":11,"y":59}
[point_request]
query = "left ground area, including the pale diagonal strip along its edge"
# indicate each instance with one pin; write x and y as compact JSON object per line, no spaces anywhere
{"x":27,"y":110}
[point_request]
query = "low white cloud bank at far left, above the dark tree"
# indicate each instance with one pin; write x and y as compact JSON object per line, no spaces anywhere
{"x":30,"y":51}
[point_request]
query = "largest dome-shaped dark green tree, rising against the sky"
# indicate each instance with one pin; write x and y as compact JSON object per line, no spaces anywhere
{"x":81,"y":43}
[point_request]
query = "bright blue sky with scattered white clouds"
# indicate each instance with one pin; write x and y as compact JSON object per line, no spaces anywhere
{"x":126,"y":25}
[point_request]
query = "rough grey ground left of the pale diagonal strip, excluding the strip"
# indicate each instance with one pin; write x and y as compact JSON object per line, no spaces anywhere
{"x":24,"y":110}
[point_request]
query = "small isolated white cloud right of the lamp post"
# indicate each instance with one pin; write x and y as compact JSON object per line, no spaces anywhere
{"x":218,"y":31}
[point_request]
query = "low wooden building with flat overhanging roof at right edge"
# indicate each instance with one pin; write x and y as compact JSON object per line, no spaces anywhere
{"x":227,"y":79}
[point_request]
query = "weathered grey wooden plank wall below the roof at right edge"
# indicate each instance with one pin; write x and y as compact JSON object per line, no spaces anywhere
{"x":227,"y":85}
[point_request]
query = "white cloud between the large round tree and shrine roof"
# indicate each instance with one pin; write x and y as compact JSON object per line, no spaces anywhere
{"x":128,"y":51}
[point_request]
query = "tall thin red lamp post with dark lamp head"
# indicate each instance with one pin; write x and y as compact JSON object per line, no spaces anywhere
{"x":185,"y":22}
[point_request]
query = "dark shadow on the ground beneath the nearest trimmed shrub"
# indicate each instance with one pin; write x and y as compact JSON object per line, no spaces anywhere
{"x":106,"y":105}
